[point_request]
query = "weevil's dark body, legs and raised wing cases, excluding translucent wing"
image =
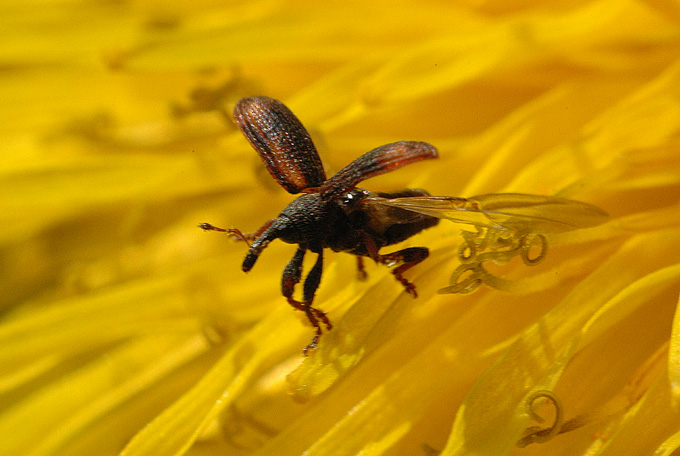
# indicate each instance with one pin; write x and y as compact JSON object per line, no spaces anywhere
{"x":332,"y":213}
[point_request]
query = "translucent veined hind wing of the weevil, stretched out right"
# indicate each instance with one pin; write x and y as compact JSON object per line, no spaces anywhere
{"x":507,"y":211}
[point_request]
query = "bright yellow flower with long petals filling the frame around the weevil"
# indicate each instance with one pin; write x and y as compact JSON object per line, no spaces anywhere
{"x":127,"y":330}
